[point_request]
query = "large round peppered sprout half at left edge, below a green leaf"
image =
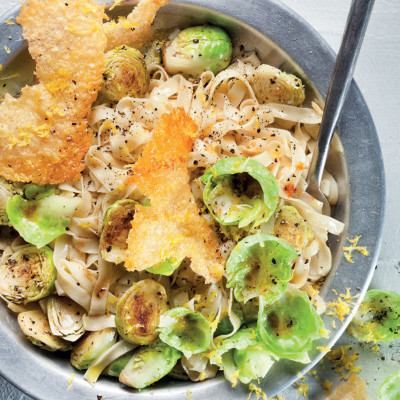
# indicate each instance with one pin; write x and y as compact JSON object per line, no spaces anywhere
{"x":28,"y":275}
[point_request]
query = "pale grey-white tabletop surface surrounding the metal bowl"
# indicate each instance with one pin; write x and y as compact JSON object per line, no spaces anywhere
{"x":377,"y":74}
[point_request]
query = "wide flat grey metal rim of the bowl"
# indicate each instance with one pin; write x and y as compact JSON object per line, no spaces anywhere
{"x":302,"y":43}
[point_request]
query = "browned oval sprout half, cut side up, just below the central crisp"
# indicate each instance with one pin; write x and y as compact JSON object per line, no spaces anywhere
{"x":139,"y":311}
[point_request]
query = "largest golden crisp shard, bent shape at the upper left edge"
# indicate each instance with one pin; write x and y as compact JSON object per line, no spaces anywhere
{"x":44,"y":133}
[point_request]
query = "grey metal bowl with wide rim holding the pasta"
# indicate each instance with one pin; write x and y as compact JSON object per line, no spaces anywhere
{"x":283,"y":39}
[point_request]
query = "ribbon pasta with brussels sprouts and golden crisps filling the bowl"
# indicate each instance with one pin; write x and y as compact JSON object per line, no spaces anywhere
{"x":159,"y":223}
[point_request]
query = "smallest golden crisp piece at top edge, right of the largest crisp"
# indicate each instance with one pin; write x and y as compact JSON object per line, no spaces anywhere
{"x":135,"y":29}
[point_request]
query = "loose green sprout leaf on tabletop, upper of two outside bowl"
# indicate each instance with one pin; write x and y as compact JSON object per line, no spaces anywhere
{"x":378,"y":318}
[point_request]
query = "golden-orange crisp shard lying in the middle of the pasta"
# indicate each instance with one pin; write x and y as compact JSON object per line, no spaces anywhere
{"x":171,"y":227}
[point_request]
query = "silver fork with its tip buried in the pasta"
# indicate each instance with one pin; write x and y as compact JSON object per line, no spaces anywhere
{"x":356,"y":26}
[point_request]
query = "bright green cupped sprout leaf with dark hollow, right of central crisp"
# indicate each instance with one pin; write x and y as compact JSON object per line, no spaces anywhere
{"x":239,"y":191}
